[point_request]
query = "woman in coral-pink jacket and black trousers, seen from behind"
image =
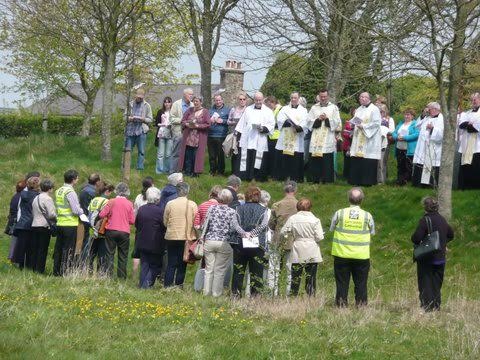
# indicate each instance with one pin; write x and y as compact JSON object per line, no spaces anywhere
{"x":120,"y":214}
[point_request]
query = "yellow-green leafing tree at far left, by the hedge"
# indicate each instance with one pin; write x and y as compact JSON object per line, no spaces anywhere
{"x":49,"y":52}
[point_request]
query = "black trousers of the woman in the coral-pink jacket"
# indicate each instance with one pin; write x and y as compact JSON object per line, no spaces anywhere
{"x":113,"y":240}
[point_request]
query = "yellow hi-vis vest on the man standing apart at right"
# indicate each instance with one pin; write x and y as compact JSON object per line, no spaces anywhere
{"x":351,"y":239}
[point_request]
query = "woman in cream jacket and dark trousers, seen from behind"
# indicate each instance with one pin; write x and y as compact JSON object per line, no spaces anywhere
{"x":305,"y":229}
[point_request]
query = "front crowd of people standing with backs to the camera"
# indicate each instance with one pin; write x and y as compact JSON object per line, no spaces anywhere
{"x":235,"y":238}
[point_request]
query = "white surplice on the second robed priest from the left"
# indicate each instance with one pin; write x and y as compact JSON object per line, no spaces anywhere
{"x":299,"y":117}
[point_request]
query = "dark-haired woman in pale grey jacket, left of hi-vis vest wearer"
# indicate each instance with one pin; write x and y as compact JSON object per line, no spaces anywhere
{"x":44,"y":215}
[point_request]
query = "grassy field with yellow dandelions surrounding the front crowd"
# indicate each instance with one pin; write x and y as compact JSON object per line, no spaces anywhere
{"x":78,"y":317}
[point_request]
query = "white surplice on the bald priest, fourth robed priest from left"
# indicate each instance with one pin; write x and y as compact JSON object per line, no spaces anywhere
{"x":367,"y":142}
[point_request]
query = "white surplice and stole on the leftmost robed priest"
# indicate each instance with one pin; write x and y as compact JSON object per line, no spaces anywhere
{"x":251,"y":138}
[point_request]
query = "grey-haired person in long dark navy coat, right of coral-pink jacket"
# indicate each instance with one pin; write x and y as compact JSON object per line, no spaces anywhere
{"x":150,"y":242}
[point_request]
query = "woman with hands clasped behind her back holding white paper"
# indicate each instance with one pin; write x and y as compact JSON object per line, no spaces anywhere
{"x":251,"y":225}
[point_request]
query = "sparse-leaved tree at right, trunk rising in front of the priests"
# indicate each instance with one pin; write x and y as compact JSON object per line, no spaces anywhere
{"x":442,"y":35}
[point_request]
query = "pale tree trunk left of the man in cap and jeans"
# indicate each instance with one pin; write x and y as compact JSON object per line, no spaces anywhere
{"x":107,"y":107}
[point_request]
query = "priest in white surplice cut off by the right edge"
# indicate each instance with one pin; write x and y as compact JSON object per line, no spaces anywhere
{"x":468,"y":131}
